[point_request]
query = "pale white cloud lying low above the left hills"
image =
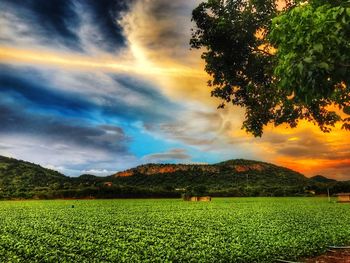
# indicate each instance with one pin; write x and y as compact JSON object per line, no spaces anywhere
{"x":66,"y":157}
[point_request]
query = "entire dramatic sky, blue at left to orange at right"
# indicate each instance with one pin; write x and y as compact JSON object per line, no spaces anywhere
{"x":102,"y":86}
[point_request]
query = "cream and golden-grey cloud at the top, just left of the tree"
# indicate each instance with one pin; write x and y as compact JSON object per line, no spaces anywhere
{"x":170,"y":24}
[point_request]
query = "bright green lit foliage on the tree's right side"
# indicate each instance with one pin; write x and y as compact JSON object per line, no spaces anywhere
{"x":313,"y":55}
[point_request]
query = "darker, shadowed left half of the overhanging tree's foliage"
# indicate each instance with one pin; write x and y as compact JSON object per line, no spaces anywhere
{"x":239,"y":66}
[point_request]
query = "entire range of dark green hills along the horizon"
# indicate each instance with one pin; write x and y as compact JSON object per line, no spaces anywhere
{"x":20,"y":179}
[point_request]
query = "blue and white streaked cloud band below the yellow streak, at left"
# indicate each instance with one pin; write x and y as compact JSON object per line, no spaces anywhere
{"x":84,"y":95}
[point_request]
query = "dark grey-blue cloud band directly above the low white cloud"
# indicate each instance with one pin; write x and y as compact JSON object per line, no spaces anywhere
{"x":62,"y":130}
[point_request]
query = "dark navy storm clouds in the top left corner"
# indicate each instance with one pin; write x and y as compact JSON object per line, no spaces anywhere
{"x":58,"y":22}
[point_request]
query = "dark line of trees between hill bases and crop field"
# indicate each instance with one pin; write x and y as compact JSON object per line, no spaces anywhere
{"x":126,"y":191}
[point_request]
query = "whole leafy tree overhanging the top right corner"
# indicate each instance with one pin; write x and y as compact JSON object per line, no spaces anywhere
{"x":241,"y":37}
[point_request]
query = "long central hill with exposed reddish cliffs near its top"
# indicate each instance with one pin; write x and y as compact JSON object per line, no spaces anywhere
{"x":233,"y":175}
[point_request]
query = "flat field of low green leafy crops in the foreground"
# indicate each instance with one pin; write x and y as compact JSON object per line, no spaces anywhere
{"x":224,"y":230}
